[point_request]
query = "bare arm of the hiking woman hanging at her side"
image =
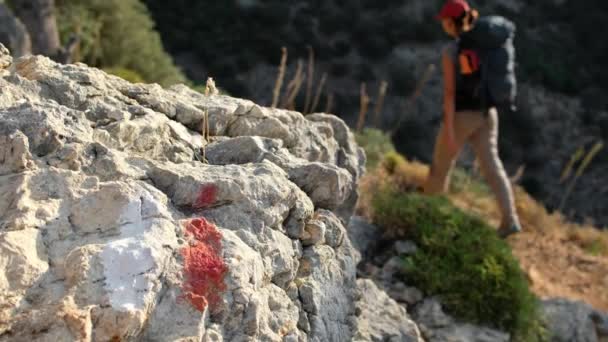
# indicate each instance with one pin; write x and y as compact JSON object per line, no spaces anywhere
{"x":449,"y":89}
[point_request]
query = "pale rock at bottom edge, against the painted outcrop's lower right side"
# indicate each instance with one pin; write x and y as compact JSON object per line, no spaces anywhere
{"x":380,"y":318}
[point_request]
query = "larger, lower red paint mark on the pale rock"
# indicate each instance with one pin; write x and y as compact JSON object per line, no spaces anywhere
{"x":204,"y":268}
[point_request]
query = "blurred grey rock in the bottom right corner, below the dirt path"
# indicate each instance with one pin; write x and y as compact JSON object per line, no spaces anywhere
{"x":574,"y":321}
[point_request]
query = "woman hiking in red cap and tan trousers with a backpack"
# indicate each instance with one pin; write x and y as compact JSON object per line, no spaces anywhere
{"x":473,"y":81}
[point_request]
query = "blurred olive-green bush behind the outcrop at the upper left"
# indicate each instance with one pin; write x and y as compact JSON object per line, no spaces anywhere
{"x":117,"y":34}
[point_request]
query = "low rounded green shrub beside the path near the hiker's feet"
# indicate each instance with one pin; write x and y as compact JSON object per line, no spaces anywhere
{"x":462,"y":261}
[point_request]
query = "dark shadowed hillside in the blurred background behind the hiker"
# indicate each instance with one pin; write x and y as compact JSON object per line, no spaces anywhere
{"x":561,"y":68}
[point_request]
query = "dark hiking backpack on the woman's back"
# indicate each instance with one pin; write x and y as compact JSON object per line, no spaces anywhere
{"x":492,"y":38}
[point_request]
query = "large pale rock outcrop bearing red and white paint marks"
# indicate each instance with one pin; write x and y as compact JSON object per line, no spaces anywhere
{"x":120,"y":221}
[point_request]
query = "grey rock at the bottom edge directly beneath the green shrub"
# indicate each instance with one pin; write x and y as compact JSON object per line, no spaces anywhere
{"x":435,"y":325}
